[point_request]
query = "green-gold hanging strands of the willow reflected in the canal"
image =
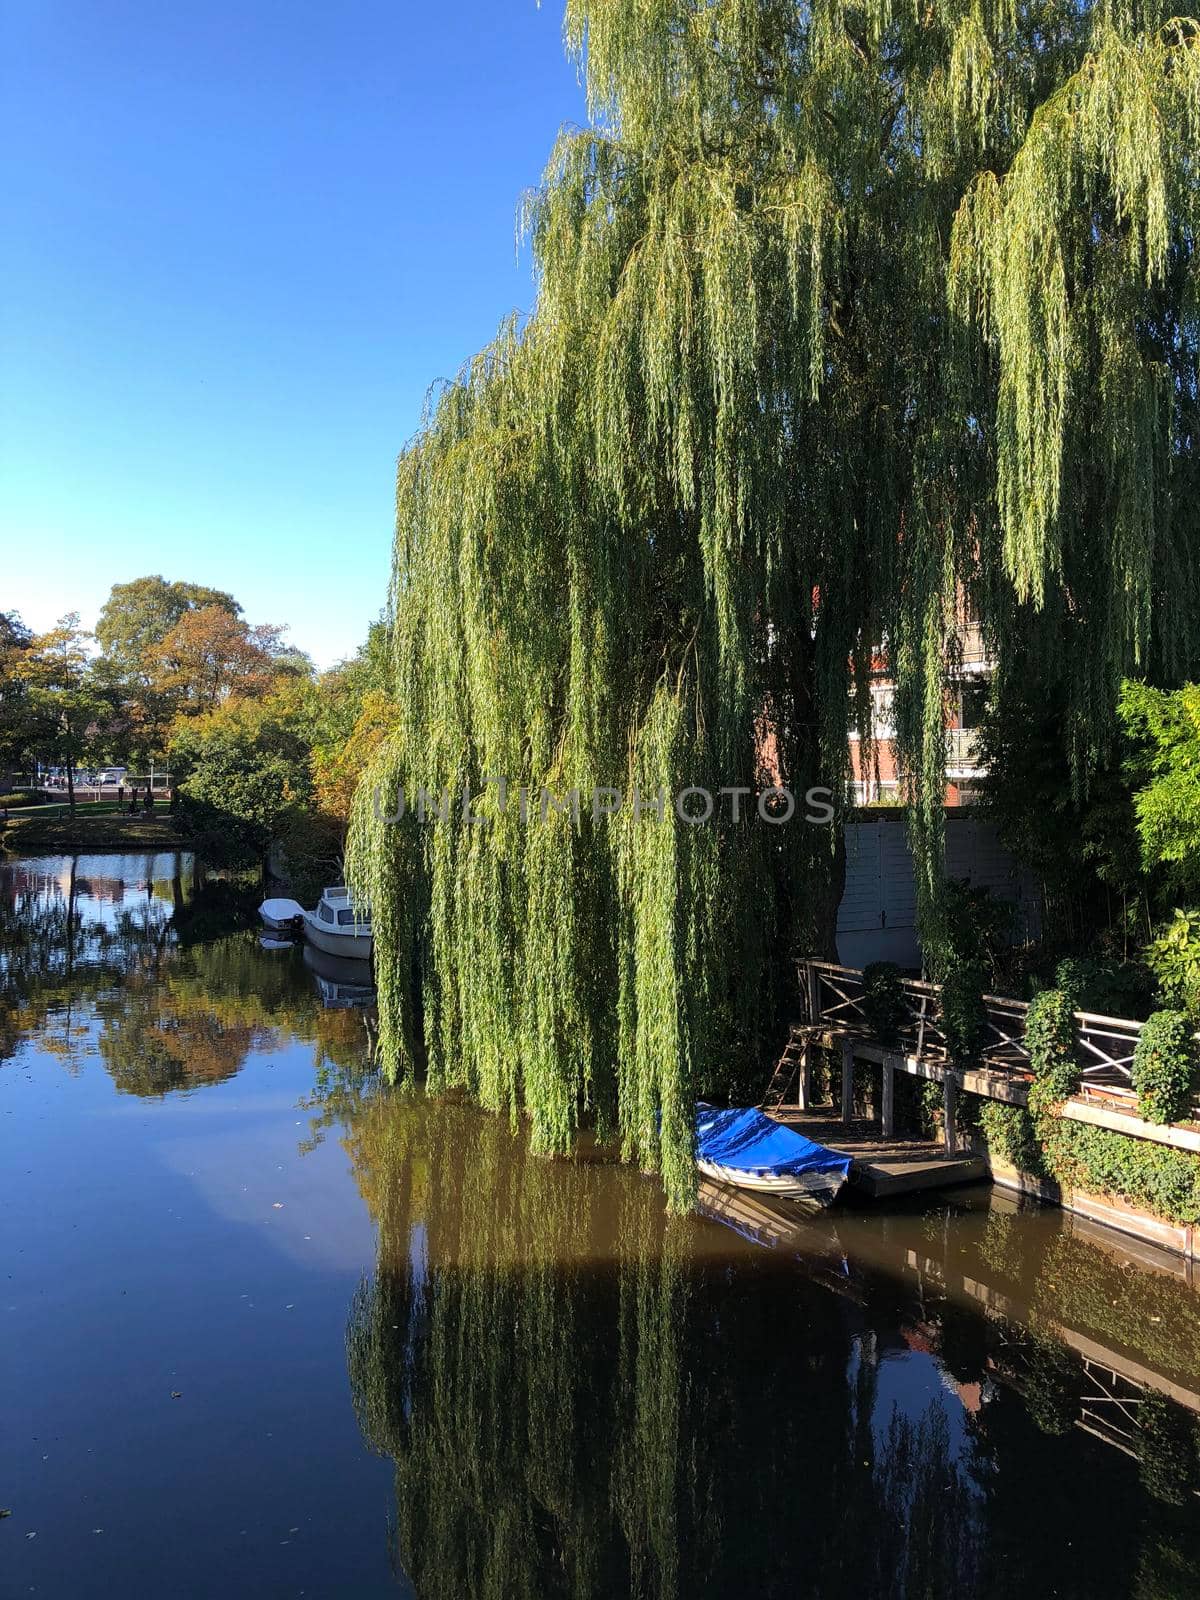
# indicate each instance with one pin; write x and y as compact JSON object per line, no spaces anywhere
{"x":497,"y":1358}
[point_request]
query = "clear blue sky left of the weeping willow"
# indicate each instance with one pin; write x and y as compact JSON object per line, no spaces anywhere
{"x":238,"y":244}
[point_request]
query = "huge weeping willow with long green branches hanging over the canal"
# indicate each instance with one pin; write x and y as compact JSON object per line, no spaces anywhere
{"x":852,"y":322}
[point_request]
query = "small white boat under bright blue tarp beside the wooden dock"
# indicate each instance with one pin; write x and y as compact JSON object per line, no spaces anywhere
{"x":750,"y":1150}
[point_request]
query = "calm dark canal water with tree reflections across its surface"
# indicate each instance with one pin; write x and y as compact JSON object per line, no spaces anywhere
{"x":273,"y":1330}
